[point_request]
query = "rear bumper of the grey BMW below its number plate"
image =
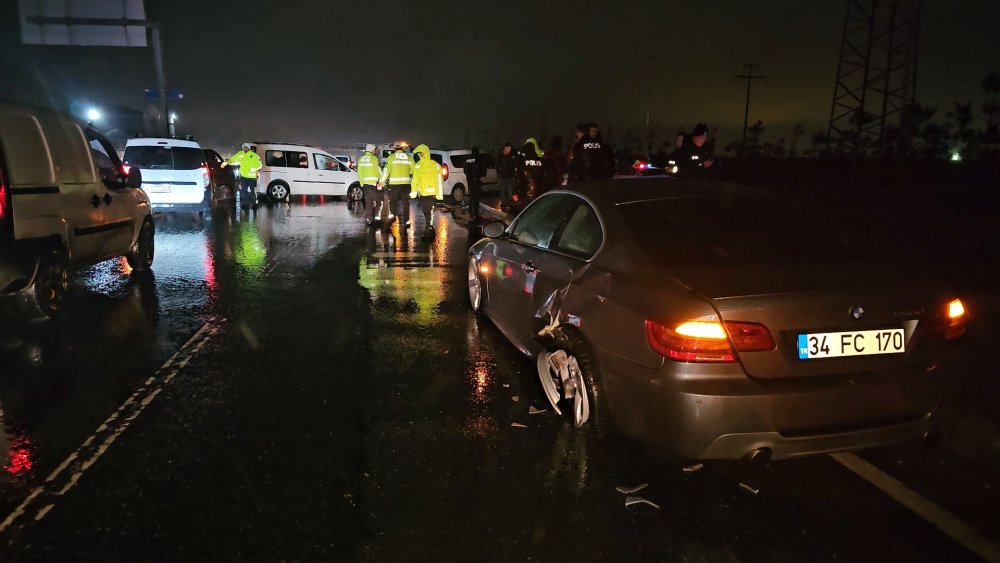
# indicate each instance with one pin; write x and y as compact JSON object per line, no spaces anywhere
{"x":726,"y":417}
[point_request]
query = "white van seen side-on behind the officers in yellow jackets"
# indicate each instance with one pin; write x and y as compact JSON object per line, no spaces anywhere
{"x":303,"y":170}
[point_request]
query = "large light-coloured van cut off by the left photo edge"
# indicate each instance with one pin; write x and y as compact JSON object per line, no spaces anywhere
{"x":65,"y":203}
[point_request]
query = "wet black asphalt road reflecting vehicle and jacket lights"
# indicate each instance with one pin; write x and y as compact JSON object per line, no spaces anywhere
{"x":288,"y":387}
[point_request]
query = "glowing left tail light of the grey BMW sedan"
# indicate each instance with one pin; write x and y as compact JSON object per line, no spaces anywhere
{"x":702,"y":341}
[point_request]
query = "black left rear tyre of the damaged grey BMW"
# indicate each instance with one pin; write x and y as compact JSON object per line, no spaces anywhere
{"x":587,"y":378}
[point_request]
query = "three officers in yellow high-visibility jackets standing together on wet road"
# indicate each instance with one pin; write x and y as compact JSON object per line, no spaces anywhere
{"x":401,"y":179}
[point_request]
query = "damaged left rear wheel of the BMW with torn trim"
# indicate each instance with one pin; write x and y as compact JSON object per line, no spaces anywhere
{"x":568,"y":372}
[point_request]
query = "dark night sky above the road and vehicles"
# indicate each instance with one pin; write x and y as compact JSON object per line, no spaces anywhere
{"x":325,"y":72}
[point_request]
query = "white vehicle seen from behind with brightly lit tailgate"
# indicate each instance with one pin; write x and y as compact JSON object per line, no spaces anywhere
{"x":175,"y":173}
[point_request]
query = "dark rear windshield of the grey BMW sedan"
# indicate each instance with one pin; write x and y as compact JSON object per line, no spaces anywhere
{"x":735,"y":231}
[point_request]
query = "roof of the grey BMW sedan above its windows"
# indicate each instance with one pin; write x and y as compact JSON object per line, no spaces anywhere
{"x":634,"y":190}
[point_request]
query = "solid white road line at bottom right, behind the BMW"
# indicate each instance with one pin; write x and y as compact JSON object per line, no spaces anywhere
{"x":939,"y":517}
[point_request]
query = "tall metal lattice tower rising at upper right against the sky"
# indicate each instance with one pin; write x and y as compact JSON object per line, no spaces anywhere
{"x":876,"y":75}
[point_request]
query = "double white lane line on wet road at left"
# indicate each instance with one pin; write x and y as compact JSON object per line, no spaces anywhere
{"x":113,"y":427}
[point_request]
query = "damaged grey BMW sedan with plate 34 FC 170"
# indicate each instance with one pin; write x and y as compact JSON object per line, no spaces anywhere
{"x":715,"y":321}
